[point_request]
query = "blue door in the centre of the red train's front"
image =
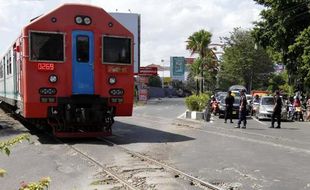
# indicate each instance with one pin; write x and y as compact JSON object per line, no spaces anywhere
{"x":82,"y":62}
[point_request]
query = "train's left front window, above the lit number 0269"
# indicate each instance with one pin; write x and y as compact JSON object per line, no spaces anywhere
{"x":46,"y":46}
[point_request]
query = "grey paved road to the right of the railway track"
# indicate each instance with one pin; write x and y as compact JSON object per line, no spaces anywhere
{"x":254,"y":158}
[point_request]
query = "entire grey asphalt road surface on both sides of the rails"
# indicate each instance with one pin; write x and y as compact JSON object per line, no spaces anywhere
{"x":252,"y":158}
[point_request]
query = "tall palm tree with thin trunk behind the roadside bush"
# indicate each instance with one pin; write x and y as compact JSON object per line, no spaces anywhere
{"x":198,"y":42}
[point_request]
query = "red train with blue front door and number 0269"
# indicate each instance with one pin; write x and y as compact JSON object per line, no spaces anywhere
{"x":71,"y":69}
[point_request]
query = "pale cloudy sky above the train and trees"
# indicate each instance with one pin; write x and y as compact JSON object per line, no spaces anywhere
{"x":165,"y":24}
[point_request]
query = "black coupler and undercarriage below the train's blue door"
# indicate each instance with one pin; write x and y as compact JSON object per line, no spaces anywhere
{"x":81,"y":116}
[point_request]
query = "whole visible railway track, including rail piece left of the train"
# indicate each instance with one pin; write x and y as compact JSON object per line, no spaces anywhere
{"x":121,"y":178}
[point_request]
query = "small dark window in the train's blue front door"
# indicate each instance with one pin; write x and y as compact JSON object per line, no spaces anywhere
{"x":82,"y":49}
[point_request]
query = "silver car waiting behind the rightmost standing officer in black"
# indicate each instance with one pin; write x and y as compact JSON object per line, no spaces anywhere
{"x":265,"y":108}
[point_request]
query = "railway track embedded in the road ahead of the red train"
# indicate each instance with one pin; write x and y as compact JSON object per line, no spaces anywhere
{"x":153,"y":165}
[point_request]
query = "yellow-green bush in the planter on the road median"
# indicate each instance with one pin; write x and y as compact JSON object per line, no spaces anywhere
{"x":197,"y":103}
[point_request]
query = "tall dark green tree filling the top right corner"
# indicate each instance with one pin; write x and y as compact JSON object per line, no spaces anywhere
{"x":282,"y":22}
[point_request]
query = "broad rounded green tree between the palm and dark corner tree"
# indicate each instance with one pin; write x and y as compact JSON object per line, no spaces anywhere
{"x":244,"y":62}
